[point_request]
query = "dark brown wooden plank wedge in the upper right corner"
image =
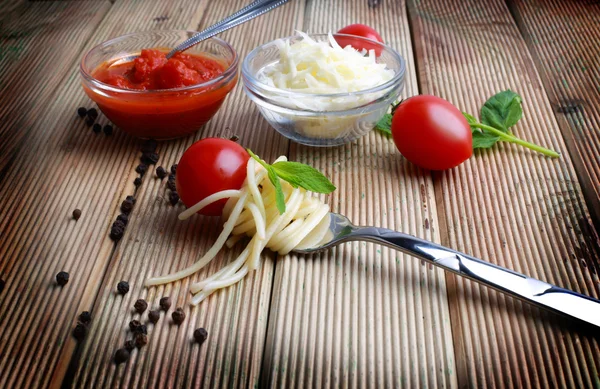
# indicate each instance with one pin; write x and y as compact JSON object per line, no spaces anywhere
{"x":563,"y":39}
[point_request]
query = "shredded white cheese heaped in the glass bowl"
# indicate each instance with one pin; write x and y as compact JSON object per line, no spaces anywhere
{"x":312,"y":67}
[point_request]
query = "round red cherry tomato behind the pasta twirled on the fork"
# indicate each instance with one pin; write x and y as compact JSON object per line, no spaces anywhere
{"x":209,"y":166}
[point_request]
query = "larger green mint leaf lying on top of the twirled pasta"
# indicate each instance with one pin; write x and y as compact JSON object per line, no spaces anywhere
{"x":304,"y":176}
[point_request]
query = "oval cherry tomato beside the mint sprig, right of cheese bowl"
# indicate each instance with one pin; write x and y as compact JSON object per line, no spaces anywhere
{"x":431,"y":133}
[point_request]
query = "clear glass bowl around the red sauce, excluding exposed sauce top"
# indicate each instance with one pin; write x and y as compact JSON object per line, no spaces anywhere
{"x":164,"y":113}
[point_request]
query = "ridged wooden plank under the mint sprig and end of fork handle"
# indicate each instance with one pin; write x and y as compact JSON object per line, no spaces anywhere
{"x":507,"y":205}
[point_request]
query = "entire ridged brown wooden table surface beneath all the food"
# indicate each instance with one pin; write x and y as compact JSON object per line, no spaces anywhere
{"x":358,"y":316}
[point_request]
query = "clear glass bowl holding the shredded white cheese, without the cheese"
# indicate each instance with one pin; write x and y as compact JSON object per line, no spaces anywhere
{"x":354,"y":114}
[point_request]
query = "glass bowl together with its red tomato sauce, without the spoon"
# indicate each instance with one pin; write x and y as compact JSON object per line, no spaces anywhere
{"x":152,"y":97}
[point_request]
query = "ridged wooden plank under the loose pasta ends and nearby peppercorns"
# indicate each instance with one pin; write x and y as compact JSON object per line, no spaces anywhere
{"x":156,"y":243}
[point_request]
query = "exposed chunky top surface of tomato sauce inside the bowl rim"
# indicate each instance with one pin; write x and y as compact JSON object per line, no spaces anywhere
{"x":152,"y":70}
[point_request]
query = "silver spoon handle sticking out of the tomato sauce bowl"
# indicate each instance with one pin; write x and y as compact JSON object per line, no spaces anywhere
{"x":245,"y":14}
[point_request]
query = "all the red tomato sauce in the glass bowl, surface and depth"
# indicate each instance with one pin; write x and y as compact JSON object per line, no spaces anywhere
{"x":159,"y":111}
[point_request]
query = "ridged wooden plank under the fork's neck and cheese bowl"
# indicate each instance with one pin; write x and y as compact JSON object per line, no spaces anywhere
{"x":362,"y":315}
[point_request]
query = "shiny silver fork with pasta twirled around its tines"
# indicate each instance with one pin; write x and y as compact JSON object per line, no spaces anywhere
{"x":528,"y":289}
